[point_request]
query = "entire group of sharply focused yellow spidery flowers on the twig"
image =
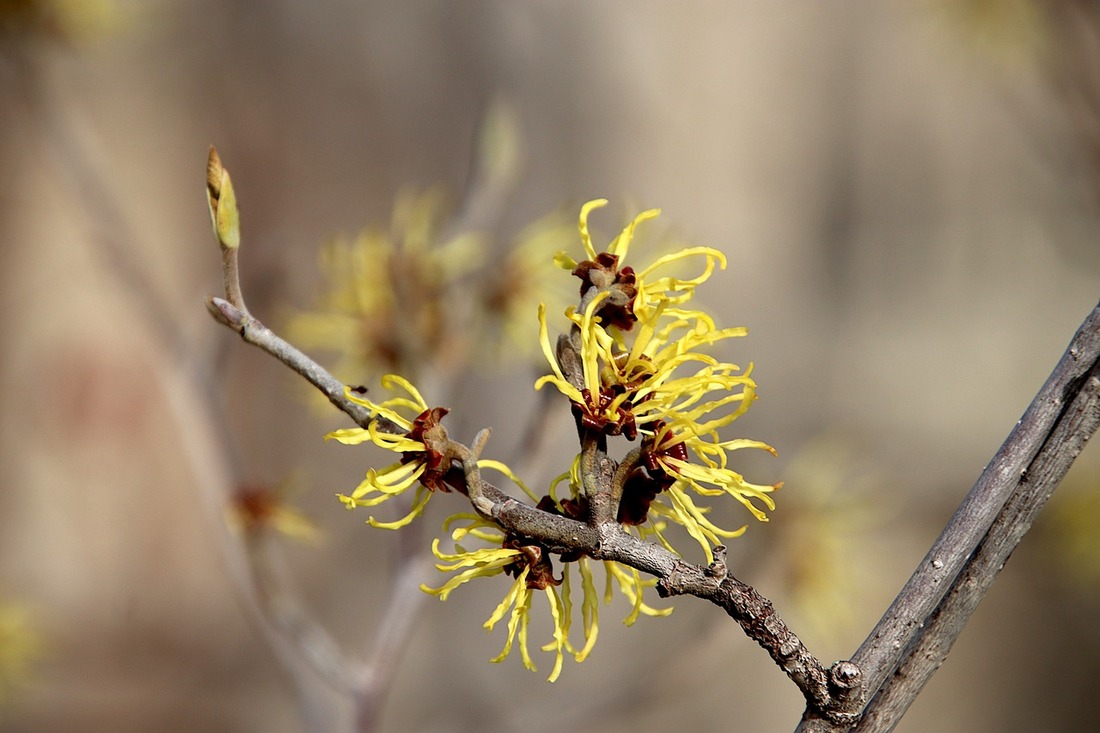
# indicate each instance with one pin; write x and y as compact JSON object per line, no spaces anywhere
{"x":640,"y":374}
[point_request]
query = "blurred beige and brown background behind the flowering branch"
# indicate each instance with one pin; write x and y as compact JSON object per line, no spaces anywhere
{"x":909,"y":206}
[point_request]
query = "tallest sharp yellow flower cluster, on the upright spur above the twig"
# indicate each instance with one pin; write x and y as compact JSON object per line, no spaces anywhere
{"x":643,"y":374}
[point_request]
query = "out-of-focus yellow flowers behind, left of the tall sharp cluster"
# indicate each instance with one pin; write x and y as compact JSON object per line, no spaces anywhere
{"x":392,"y":297}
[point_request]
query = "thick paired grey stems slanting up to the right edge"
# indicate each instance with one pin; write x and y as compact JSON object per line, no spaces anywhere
{"x":915,"y":636}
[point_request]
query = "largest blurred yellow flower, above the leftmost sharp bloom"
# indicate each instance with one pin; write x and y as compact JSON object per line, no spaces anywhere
{"x":387,"y":308}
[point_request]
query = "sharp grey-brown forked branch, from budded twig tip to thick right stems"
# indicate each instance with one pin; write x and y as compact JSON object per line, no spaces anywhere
{"x":866,"y":694}
